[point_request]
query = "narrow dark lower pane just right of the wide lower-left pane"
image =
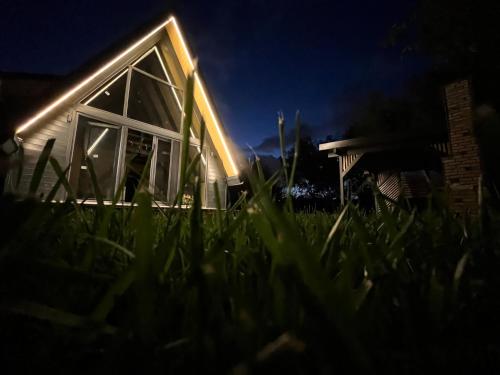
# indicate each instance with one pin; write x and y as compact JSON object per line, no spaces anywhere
{"x":139,"y":146}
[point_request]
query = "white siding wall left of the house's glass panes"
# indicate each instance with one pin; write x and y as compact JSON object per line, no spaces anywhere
{"x":34,"y":141}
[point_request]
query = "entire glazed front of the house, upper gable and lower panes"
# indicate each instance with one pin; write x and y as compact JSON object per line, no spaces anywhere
{"x":143,"y":91}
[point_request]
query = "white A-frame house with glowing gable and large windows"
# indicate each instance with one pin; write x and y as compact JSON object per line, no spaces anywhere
{"x":119,"y":112}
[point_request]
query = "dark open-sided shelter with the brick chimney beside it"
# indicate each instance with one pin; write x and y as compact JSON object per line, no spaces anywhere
{"x":411,"y":165}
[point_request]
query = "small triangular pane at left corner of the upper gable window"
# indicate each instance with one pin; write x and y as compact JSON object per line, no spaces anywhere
{"x":111,"y":96}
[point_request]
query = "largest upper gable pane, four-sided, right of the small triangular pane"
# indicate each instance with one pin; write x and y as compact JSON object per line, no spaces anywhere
{"x":153,"y":102}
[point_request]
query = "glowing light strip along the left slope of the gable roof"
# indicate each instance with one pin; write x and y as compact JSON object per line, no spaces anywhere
{"x":76,"y":88}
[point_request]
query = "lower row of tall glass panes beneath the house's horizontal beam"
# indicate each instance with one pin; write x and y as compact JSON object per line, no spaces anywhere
{"x":98,"y":143}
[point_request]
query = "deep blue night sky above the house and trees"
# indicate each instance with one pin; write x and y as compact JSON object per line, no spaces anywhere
{"x":258,"y":57}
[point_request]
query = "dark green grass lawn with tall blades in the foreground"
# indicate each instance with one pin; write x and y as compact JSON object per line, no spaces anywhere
{"x":255,"y":288}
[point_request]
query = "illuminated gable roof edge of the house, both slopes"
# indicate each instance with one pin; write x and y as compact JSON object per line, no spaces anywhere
{"x":181,"y":50}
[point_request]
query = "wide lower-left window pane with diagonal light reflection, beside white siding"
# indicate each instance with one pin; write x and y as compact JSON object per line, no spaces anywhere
{"x":100,"y":143}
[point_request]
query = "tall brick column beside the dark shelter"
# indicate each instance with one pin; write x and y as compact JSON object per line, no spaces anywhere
{"x":462,"y":169}
